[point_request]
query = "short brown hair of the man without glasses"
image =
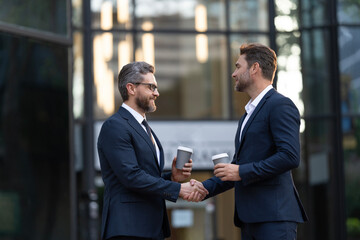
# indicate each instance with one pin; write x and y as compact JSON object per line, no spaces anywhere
{"x":265,"y":56}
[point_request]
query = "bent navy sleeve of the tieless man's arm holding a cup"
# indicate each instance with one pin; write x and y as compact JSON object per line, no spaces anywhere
{"x":284,"y":120}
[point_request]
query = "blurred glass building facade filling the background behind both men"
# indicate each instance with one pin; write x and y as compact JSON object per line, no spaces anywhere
{"x":59,"y":62}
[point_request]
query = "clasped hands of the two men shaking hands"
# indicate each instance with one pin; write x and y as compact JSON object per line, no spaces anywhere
{"x":193,"y":191}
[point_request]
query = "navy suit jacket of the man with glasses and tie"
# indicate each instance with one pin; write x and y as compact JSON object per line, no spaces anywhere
{"x":135,"y":187}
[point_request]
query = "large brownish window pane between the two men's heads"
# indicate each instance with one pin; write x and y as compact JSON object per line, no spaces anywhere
{"x":191,"y":71}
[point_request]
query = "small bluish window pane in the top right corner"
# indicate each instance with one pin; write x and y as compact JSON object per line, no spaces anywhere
{"x":348,"y":11}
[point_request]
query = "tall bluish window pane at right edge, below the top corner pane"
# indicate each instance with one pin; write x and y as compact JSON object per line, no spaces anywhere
{"x":349,"y":70}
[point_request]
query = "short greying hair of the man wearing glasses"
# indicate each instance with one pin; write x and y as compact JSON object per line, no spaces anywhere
{"x":132,"y":73}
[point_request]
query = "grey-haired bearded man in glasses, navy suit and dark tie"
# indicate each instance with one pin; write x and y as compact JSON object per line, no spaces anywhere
{"x":132,"y":160}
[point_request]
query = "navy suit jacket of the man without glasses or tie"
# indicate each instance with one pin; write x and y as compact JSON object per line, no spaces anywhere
{"x":268,"y":150}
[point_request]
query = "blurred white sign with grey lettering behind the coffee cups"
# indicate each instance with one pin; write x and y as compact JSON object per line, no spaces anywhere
{"x":206,"y":138}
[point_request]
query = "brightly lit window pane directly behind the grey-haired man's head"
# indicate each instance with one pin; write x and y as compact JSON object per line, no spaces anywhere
{"x":110,"y":52}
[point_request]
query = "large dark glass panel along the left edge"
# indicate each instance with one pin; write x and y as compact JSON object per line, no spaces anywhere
{"x":36,"y":174}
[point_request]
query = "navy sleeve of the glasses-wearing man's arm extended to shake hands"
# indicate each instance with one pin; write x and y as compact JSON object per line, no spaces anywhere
{"x":115,"y":143}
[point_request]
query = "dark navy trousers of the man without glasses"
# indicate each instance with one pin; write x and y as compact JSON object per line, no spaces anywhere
{"x":269,"y":231}
